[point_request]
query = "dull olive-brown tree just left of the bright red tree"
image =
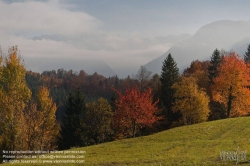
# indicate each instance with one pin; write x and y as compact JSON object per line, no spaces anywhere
{"x":98,"y":121}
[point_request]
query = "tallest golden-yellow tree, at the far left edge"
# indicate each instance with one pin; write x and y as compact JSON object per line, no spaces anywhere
{"x":14,"y":94}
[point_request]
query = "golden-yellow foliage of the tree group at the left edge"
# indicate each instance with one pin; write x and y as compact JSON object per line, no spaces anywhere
{"x":23,"y":125}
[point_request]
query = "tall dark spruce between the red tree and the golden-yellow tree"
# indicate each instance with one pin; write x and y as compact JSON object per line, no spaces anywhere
{"x":169,"y":75}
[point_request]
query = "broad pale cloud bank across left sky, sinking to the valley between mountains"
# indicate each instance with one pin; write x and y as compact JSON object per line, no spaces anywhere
{"x":64,"y":33}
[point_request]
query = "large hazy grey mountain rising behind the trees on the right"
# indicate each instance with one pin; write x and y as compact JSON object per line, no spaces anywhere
{"x":220,"y":34}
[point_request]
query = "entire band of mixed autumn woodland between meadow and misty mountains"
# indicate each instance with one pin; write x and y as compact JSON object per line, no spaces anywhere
{"x":63,"y":109}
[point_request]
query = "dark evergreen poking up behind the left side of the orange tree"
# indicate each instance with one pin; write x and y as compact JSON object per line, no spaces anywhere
{"x":214,"y":64}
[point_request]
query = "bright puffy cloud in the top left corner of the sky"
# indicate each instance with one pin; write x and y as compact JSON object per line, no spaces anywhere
{"x":50,"y":17}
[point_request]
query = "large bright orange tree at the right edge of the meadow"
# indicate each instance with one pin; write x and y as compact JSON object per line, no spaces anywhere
{"x":230,"y":87}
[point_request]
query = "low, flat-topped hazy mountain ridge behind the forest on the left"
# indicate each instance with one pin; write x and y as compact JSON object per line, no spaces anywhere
{"x":89,"y":66}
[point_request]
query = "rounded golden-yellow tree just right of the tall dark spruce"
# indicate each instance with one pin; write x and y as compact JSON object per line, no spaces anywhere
{"x":191,"y":101}
